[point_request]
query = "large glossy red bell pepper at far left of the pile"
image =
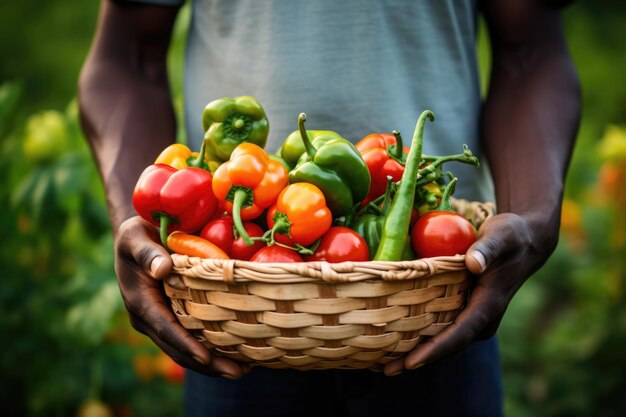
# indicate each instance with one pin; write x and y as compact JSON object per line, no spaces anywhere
{"x":174,"y":199}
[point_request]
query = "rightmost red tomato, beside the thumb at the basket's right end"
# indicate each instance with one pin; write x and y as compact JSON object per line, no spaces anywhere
{"x":442,"y":233}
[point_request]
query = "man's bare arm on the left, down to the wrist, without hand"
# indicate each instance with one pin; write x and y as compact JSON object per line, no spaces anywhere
{"x":124,"y":97}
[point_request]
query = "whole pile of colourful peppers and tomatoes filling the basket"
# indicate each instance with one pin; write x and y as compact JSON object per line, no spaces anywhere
{"x":319,"y":198}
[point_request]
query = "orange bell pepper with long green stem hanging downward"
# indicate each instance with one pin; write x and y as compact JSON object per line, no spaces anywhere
{"x":248,"y":183}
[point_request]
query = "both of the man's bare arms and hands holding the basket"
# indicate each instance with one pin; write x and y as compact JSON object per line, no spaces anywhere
{"x":529,"y":123}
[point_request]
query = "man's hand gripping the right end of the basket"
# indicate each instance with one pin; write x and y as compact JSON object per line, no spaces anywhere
{"x":502,"y":258}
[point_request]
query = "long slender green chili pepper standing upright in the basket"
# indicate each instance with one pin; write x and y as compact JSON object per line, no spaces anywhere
{"x":396,"y":225}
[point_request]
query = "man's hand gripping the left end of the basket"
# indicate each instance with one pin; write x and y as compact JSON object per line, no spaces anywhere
{"x":141,"y":263}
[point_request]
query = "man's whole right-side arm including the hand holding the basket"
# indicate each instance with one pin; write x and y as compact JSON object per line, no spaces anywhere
{"x":529,"y":124}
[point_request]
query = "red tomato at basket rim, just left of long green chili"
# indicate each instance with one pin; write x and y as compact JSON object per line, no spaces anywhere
{"x":340,"y":244}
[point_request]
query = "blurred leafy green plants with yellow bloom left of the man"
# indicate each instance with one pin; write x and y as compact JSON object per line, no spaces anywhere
{"x":71,"y":348}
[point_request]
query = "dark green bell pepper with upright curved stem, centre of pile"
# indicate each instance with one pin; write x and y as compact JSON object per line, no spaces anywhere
{"x":336,"y":167}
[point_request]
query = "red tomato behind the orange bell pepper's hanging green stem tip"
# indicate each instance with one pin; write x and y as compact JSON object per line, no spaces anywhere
{"x":221,"y":233}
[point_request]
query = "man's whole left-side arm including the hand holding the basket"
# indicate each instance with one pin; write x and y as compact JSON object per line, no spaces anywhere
{"x":127,"y":115}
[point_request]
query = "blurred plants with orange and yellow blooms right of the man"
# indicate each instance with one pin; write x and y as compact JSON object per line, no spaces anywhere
{"x":564,"y":335}
